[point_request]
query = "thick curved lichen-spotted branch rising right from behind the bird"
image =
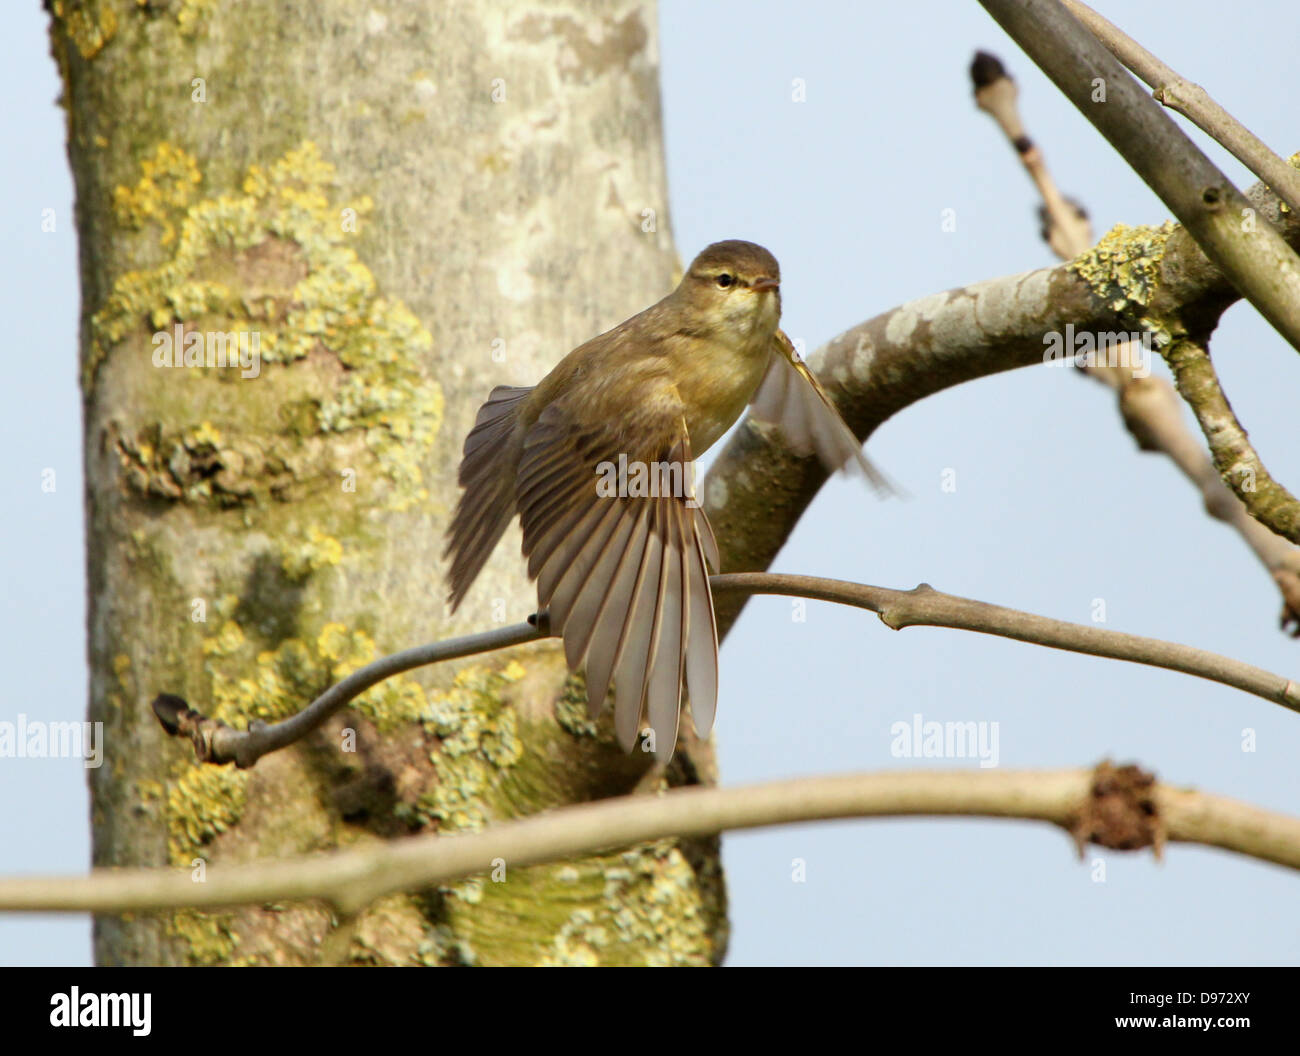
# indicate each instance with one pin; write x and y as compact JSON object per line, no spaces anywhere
{"x":757,"y":491}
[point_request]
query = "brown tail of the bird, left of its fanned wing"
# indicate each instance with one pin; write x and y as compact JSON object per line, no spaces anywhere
{"x":488,"y":478}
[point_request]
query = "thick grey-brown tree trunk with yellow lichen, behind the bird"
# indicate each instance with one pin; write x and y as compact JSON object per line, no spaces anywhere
{"x":396,"y":206}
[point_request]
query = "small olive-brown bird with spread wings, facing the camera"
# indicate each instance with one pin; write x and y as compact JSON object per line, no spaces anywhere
{"x":596,"y":461}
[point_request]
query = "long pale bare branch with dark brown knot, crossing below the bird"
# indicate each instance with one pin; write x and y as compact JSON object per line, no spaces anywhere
{"x":1115,"y":807}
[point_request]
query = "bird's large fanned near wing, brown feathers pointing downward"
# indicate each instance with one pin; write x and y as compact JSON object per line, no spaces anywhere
{"x":622,"y":561}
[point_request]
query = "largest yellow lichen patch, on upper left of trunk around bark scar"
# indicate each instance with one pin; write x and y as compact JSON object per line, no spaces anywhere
{"x":266,"y":275}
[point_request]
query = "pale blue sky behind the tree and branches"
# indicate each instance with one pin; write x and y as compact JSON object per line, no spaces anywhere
{"x":1054,"y":508}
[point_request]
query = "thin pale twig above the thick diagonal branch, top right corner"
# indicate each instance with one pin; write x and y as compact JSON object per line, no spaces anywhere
{"x":1191,"y":101}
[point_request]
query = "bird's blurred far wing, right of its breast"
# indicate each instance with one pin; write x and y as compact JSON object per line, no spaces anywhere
{"x":794,"y":400}
